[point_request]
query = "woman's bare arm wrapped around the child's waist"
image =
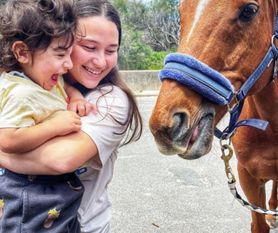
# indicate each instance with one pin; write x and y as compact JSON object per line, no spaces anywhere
{"x":57,"y":156}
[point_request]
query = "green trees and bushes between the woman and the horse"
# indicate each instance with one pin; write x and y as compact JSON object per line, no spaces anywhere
{"x":149,"y":32}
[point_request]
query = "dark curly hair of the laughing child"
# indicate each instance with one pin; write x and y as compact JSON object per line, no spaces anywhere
{"x":36,"y":23}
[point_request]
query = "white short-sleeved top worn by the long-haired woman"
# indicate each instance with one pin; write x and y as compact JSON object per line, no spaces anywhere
{"x":95,"y":209}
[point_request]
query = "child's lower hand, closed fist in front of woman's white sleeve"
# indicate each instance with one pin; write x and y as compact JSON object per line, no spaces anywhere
{"x":65,"y":122}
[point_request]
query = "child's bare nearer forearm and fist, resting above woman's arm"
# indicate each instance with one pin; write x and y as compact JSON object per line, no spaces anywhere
{"x":19,"y":140}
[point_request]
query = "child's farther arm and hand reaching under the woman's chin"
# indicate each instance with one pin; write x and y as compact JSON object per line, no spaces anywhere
{"x":77,"y":102}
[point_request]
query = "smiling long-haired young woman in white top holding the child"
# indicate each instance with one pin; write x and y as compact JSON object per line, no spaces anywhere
{"x":93,"y":150}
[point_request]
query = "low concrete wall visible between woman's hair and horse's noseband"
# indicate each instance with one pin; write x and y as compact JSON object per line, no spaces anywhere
{"x":142,"y":82}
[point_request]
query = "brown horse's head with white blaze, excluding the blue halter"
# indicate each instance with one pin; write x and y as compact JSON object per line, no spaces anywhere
{"x":231,"y":37}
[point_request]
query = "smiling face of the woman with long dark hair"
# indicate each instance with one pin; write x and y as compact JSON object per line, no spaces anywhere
{"x":95,"y":53}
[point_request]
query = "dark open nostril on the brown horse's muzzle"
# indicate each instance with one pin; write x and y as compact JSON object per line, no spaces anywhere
{"x":179,"y":128}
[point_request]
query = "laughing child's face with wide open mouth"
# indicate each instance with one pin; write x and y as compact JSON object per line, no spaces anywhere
{"x":46,"y":66}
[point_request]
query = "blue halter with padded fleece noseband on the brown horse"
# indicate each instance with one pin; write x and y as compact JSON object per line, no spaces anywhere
{"x":216,"y":87}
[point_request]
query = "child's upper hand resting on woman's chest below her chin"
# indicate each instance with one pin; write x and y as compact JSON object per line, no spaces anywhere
{"x":81,"y":107}
